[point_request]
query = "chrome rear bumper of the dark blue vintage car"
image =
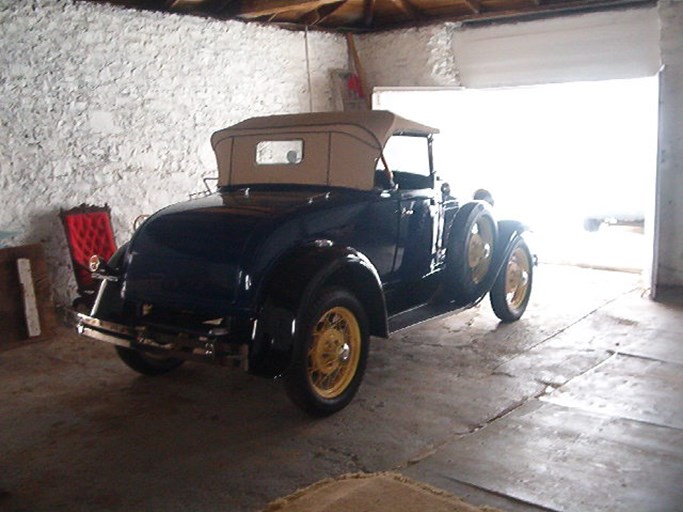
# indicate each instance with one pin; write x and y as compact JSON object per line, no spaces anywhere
{"x":215,"y":345}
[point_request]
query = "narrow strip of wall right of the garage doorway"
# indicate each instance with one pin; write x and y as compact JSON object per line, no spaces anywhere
{"x":668,"y":270}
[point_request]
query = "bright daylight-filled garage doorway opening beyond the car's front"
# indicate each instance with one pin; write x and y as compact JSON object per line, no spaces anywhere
{"x":575,"y":161}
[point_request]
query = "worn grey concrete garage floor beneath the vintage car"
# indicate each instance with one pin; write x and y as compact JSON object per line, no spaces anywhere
{"x":577,"y":407}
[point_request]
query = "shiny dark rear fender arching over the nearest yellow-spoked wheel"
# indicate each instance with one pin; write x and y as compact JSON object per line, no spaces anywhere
{"x":294,"y":284}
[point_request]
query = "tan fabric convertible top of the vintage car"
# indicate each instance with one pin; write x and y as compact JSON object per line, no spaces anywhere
{"x":339,"y":148}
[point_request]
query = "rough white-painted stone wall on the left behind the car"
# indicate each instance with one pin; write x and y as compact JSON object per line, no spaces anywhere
{"x":102,"y":104}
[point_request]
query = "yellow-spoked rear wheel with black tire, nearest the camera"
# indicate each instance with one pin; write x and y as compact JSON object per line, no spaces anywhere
{"x":330,"y":354}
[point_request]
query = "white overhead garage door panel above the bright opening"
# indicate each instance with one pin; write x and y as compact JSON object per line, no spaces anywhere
{"x":599,"y":46}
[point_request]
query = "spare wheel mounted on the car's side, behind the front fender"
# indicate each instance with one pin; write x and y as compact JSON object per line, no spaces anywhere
{"x":469,"y":253}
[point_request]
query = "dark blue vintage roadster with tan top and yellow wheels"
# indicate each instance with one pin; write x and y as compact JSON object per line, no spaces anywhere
{"x":325,"y":229}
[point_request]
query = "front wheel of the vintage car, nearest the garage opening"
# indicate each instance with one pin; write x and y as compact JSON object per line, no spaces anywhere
{"x":512,"y":289}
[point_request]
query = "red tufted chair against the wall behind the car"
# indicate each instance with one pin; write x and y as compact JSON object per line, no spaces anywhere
{"x":88,"y":231}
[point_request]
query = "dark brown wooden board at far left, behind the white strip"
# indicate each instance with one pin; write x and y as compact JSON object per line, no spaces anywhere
{"x":13,"y":328}
